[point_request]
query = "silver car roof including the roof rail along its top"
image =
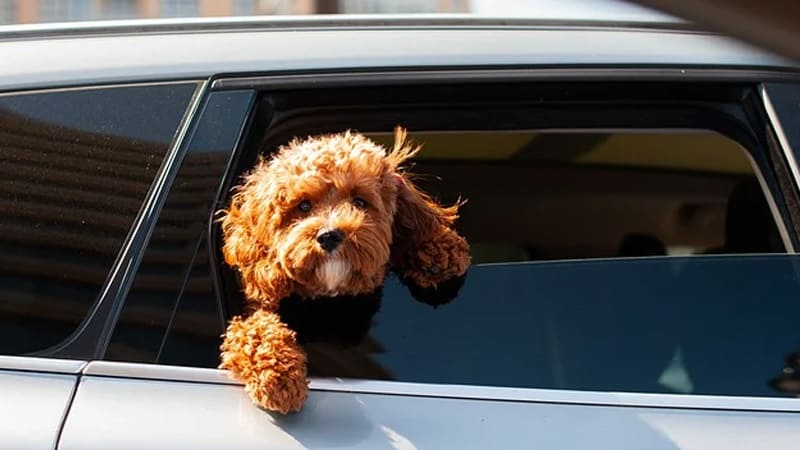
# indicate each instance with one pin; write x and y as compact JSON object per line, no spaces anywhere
{"x":152,"y":50}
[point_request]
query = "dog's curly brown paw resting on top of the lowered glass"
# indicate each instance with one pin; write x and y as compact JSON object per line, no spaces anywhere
{"x":442,"y":258}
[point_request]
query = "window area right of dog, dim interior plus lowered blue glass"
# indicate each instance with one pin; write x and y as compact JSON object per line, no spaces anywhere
{"x":559,"y":296}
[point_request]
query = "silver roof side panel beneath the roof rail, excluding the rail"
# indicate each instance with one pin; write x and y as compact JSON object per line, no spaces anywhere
{"x":116,"y":58}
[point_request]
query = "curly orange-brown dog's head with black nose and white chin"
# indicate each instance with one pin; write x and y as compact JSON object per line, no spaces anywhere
{"x":324,"y":216}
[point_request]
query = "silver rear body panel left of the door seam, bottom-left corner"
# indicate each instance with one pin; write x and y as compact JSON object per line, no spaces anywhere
{"x":33,"y":407}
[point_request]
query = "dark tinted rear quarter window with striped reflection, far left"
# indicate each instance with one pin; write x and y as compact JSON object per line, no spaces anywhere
{"x":76,"y":166}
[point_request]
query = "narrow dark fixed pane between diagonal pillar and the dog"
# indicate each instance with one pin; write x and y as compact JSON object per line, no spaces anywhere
{"x":173,"y":288}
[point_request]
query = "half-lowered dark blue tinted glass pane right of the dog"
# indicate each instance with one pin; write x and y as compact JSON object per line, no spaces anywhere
{"x":697,"y":325}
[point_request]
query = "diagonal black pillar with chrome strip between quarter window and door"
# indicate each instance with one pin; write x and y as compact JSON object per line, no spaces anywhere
{"x":92,"y":336}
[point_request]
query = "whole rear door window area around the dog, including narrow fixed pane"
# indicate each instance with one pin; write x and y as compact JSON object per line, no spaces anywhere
{"x":612,"y":250}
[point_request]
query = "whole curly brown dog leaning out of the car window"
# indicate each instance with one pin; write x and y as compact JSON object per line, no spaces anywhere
{"x":326,"y":219}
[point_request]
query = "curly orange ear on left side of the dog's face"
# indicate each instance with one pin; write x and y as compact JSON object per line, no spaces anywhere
{"x":248,"y":225}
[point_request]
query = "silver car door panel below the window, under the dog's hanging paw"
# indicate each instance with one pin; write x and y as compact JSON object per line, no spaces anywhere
{"x":188,"y":414}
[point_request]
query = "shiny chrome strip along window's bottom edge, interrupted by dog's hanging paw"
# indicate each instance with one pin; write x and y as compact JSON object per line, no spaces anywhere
{"x":152,"y":372}
